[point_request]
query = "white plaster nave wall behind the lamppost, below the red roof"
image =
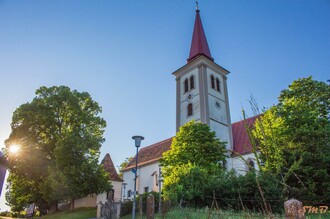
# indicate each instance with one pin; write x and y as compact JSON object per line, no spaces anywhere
{"x":145,"y":178}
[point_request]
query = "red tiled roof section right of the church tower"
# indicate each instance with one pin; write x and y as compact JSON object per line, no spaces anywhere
{"x":241,"y":139}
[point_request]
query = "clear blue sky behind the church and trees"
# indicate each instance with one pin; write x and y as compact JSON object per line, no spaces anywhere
{"x":123,"y":54}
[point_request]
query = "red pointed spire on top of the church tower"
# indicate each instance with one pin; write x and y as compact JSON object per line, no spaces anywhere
{"x":199,"y":44}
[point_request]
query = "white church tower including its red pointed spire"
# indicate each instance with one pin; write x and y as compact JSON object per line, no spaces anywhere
{"x":201,"y":88}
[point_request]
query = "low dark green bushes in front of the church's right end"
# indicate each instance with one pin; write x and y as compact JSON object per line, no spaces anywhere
{"x":233,"y":192}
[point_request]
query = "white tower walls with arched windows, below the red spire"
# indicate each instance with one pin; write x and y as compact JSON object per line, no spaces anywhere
{"x":209,"y":98}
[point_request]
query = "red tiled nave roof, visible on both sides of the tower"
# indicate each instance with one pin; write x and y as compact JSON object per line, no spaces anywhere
{"x":155,"y":151}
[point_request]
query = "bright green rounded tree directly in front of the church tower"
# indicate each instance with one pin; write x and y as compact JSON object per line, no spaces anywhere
{"x":195,"y":154}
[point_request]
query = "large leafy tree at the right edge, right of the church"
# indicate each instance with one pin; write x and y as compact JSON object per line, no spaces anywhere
{"x":294,"y":138}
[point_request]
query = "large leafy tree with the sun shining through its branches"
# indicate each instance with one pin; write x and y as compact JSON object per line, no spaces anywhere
{"x":60,"y":134}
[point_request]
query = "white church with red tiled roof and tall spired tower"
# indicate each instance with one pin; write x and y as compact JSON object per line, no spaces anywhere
{"x":201,"y":95}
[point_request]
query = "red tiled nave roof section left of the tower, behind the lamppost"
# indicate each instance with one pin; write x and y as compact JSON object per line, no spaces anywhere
{"x":151,"y":153}
